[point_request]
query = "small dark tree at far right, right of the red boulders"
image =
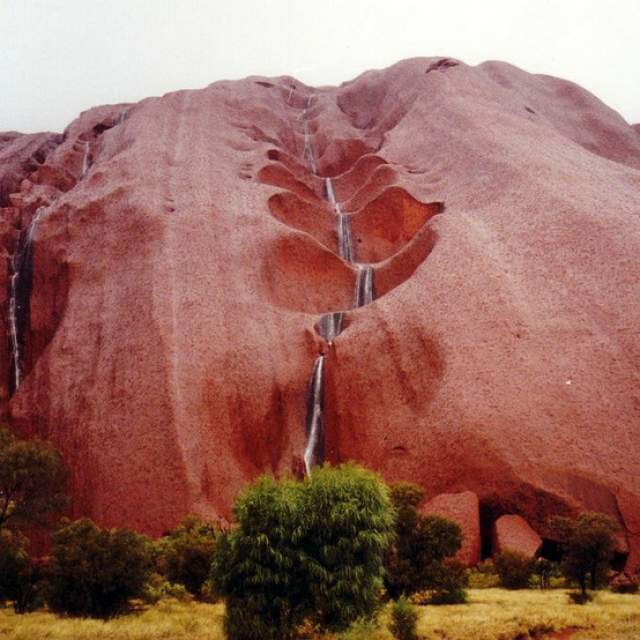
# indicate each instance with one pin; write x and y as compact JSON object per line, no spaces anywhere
{"x":587,"y":543}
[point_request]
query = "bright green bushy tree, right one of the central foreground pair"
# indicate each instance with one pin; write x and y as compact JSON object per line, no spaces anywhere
{"x":347,"y":521}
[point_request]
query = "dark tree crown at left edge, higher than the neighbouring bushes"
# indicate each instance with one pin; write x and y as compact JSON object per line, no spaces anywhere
{"x":32,"y":481}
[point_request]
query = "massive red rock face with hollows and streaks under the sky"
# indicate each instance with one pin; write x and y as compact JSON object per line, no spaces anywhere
{"x":186,"y":247}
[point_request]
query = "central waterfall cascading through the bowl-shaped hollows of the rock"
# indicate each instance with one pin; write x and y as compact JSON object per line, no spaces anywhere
{"x":331,"y":324}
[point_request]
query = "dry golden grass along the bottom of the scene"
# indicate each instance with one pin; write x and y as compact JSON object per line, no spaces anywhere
{"x":491,"y":614}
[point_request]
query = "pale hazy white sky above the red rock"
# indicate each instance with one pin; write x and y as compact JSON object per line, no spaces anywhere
{"x":60,"y":57}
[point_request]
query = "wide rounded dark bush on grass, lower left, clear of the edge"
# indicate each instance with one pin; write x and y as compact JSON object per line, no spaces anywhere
{"x":95,"y":572}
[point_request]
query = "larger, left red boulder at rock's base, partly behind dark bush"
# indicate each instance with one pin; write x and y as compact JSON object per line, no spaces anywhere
{"x":462,"y":508}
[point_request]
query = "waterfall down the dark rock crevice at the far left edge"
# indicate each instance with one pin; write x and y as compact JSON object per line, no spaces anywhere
{"x":21,"y":266}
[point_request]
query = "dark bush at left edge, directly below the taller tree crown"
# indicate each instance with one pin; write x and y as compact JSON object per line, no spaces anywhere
{"x":20,"y":577}
